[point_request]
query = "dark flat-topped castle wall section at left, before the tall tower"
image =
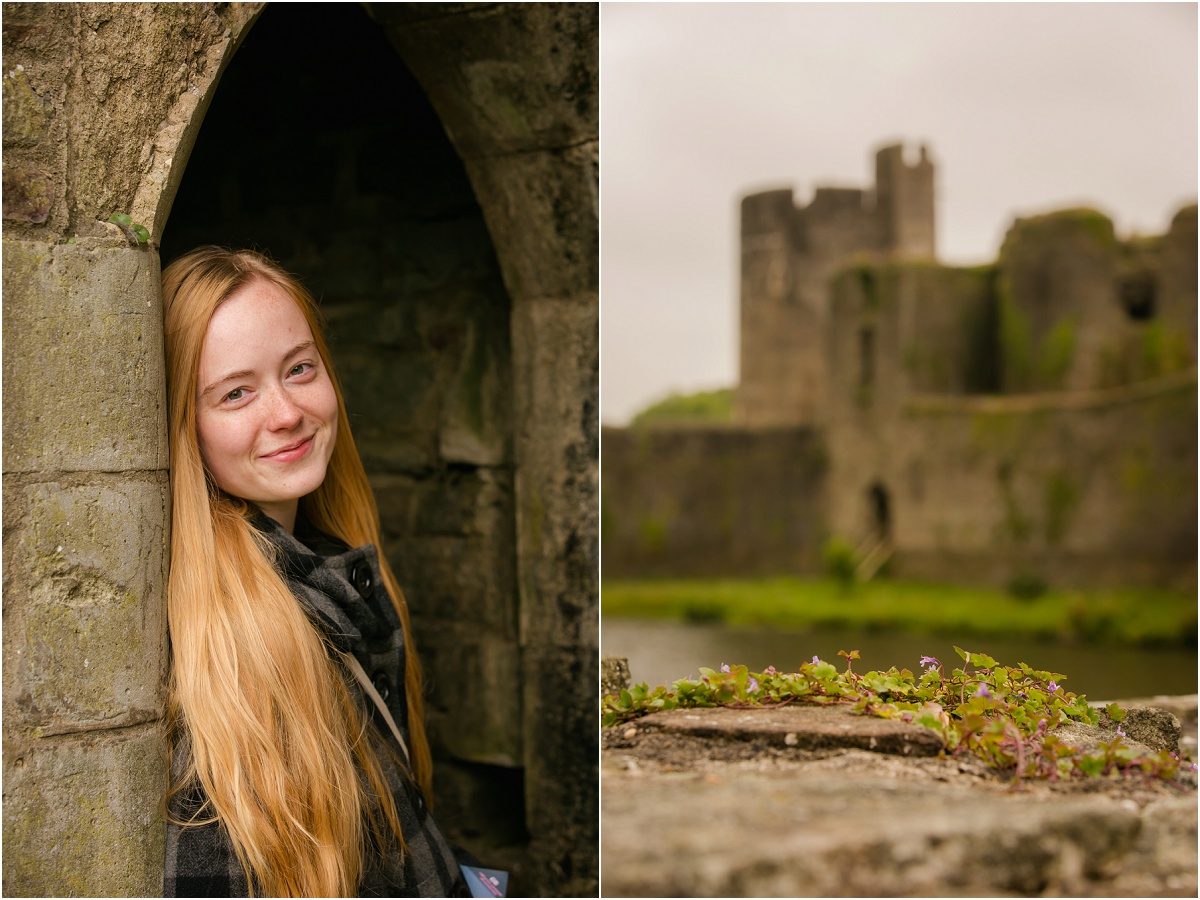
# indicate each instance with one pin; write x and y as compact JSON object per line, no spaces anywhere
{"x":699,"y":502}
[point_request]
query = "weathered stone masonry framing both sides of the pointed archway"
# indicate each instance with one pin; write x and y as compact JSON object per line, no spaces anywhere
{"x":103,"y":106}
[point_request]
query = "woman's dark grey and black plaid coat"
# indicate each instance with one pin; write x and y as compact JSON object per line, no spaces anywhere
{"x":344,"y":595}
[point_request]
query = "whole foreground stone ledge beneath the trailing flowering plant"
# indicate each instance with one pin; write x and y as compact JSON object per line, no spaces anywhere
{"x":721,"y":803}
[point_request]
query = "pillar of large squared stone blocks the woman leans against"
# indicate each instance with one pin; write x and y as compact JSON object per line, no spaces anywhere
{"x":85,"y":566}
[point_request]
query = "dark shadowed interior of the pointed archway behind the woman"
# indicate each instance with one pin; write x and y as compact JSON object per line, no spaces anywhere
{"x":322,"y":151}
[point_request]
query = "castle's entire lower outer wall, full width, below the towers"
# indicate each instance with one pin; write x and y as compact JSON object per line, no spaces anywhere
{"x":1093,"y":489}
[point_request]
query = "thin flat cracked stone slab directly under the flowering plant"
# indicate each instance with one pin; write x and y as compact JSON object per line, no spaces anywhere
{"x":803,"y":728}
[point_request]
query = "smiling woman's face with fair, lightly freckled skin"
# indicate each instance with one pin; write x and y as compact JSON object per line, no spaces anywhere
{"x":267,"y":413}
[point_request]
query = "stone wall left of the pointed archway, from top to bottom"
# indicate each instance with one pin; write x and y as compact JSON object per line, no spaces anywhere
{"x":95,"y":100}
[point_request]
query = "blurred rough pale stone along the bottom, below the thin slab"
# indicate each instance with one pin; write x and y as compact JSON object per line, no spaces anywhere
{"x":806,"y":832}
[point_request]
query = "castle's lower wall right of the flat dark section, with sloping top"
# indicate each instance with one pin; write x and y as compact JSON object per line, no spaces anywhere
{"x":1096,"y":489}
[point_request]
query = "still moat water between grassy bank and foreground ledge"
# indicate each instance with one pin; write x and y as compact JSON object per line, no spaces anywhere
{"x":659,"y":652}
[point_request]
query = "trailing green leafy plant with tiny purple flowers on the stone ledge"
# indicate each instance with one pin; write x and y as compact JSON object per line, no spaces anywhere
{"x":1001,"y":715}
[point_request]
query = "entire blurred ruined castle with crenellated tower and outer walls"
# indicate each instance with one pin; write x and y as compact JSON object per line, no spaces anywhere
{"x":1034,"y":419}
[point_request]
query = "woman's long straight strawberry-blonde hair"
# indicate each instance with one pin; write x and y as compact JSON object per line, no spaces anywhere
{"x":277,"y":740}
